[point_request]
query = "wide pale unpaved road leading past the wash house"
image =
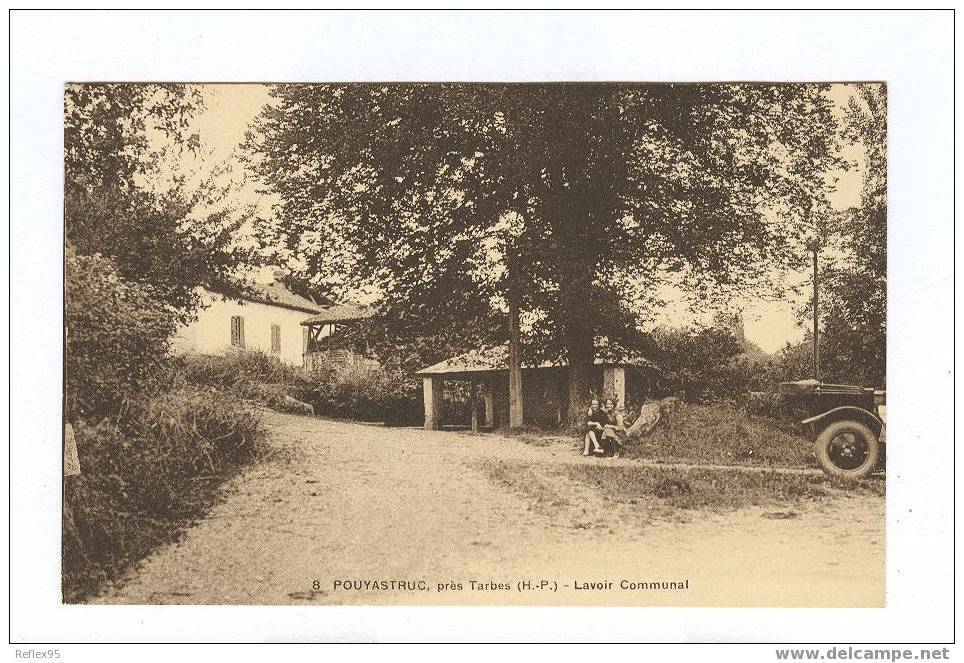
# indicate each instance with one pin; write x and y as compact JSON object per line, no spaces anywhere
{"x":340,"y":501}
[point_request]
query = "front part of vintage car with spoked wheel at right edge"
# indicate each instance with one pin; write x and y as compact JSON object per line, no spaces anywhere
{"x":846,"y":423}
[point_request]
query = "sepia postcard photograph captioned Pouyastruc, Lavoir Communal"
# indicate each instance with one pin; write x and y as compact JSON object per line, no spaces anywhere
{"x":569,"y":343}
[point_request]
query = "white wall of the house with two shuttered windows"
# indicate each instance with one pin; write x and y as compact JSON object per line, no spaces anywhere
{"x":211,"y":332}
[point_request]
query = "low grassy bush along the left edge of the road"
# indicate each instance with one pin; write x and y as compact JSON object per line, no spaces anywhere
{"x":146,"y":474}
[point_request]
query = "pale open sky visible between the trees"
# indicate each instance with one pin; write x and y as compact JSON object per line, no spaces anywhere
{"x":770,"y":324}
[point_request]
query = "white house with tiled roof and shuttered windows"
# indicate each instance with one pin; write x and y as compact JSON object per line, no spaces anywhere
{"x":269,"y":320}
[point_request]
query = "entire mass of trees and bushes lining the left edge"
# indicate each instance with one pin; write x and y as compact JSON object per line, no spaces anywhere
{"x":153,"y":448}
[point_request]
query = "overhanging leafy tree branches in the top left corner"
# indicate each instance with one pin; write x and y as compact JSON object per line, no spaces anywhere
{"x":119,"y":202}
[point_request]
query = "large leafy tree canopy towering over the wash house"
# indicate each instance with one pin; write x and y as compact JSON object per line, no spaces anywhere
{"x":596,"y":193}
